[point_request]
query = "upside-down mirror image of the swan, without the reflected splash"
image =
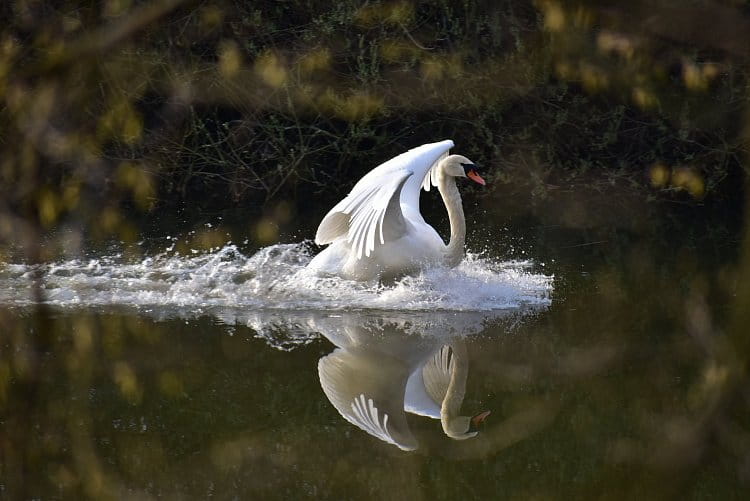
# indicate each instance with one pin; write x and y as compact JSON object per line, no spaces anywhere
{"x":377,"y":374}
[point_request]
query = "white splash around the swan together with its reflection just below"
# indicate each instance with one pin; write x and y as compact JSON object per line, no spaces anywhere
{"x":272,"y":293}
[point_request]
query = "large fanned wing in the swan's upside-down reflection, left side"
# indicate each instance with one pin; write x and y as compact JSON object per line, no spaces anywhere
{"x":367,"y":397}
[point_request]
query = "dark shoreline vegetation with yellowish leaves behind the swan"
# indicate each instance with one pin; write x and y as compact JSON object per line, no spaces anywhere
{"x":124,"y":108}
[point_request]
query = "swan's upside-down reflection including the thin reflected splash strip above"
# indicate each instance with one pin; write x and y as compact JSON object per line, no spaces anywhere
{"x":387,"y":365}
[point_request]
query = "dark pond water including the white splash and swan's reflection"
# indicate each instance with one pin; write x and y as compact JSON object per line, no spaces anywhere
{"x":232,"y":373}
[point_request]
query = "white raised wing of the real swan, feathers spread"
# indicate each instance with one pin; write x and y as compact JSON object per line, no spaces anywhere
{"x":372,"y":212}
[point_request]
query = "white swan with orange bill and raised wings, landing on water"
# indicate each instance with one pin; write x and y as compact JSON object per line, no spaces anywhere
{"x":377,"y":231}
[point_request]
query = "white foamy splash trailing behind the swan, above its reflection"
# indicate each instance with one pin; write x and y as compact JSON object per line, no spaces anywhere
{"x":273,"y":278}
